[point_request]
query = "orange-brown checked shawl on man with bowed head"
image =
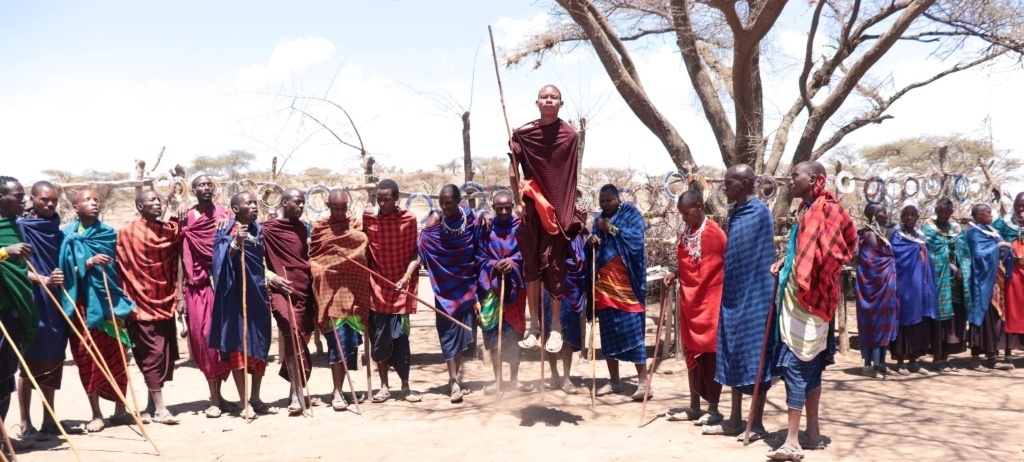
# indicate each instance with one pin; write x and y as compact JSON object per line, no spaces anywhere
{"x":342,"y":288}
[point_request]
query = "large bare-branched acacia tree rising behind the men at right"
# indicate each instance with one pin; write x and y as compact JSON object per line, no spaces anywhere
{"x":721,"y":43}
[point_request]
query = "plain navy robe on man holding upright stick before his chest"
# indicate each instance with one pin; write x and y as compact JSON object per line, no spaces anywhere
{"x":226,"y":320}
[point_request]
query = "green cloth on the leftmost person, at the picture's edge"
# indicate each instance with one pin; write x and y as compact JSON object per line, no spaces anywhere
{"x":16,"y":289}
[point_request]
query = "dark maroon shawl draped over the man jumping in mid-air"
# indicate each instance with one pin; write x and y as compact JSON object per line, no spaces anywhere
{"x":549,"y":156}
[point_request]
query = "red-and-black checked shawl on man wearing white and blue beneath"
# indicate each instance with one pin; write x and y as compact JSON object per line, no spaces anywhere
{"x":826,"y":241}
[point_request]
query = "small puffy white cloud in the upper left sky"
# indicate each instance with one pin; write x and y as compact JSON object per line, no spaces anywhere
{"x":290,"y":57}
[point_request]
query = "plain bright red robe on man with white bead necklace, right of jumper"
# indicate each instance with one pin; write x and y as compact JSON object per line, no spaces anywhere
{"x":701,"y":293}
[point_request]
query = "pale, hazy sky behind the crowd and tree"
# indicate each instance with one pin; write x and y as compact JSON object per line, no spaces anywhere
{"x":95,"y":86}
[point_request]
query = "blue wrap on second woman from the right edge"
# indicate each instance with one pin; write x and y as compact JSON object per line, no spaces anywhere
{"x":986,"y":258}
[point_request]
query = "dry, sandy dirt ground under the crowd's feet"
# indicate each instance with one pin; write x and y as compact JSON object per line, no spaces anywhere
{"x":964,"y":416}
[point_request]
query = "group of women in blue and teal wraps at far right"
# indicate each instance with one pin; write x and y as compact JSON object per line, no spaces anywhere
{"x":941,"y":288}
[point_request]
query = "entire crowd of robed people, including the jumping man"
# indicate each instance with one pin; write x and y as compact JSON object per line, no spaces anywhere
{"x":354,"y":277}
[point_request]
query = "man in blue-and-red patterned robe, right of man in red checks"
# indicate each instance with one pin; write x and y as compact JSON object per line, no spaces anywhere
{"x":448,"y":247}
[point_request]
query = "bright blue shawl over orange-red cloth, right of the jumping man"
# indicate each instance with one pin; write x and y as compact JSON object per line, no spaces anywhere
{"x":629,"y":244}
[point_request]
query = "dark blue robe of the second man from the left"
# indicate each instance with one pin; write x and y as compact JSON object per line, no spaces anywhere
{"x":52,"y":338}
